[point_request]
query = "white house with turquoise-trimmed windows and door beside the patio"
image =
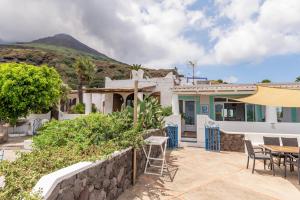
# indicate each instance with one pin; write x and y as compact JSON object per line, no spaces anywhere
{"x":195,"y":106}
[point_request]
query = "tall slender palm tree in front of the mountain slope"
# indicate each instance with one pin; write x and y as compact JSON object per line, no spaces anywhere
{"x":85,"y":70}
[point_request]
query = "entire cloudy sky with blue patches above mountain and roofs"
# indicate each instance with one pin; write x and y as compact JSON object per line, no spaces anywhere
{"x":239,"y":41}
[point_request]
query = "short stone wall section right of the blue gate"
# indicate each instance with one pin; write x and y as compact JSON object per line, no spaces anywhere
{"x":232,"y":142}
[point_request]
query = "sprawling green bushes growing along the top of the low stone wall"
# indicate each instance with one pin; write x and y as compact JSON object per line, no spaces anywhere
{"x":63,"y":143}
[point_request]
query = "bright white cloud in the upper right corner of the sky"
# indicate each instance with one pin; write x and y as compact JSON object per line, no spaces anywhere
{"x":274,"y":31}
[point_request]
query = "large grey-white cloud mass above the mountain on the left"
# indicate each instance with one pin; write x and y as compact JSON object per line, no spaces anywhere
{"x":133,"y":31}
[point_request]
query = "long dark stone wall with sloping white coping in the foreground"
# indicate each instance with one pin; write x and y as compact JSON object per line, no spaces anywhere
{"x":105,"y":179}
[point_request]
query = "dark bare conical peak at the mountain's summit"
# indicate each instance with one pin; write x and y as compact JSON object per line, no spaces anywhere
{"x":67,"y":41}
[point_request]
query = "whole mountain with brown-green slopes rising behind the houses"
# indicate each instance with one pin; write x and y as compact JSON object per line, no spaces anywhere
{"x":61,"y":51}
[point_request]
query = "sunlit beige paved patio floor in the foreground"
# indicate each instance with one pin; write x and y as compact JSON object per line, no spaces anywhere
{"x":202,"y":175}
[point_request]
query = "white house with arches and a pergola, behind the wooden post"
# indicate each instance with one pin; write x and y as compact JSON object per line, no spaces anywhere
{"x":119,"y":92}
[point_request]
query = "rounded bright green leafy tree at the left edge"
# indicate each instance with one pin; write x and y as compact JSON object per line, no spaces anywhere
{"x":27,"y":88}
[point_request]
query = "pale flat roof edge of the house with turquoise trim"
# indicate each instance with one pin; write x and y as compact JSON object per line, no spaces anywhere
{"x":229,"y":88}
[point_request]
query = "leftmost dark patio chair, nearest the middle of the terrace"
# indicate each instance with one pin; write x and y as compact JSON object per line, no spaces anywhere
{"x":257,"y":155}
